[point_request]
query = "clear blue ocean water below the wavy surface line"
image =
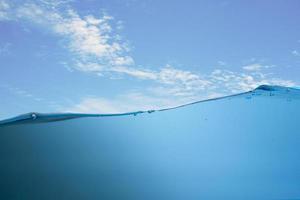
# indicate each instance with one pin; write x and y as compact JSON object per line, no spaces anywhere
{"x":245,"y":146}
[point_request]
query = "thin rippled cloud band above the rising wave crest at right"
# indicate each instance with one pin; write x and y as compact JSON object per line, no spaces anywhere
{"x":187,"y":83}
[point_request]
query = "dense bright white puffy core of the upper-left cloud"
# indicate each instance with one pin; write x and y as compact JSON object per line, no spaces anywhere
{"x":88,"y":36}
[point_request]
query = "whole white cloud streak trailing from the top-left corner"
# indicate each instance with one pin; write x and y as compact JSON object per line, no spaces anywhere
{"x":90,"y":39}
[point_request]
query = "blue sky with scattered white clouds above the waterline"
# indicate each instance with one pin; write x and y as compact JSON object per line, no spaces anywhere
{"x":112,"y":56}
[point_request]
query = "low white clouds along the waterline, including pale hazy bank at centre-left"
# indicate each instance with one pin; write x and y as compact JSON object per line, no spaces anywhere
{"x":176,"y":88}
